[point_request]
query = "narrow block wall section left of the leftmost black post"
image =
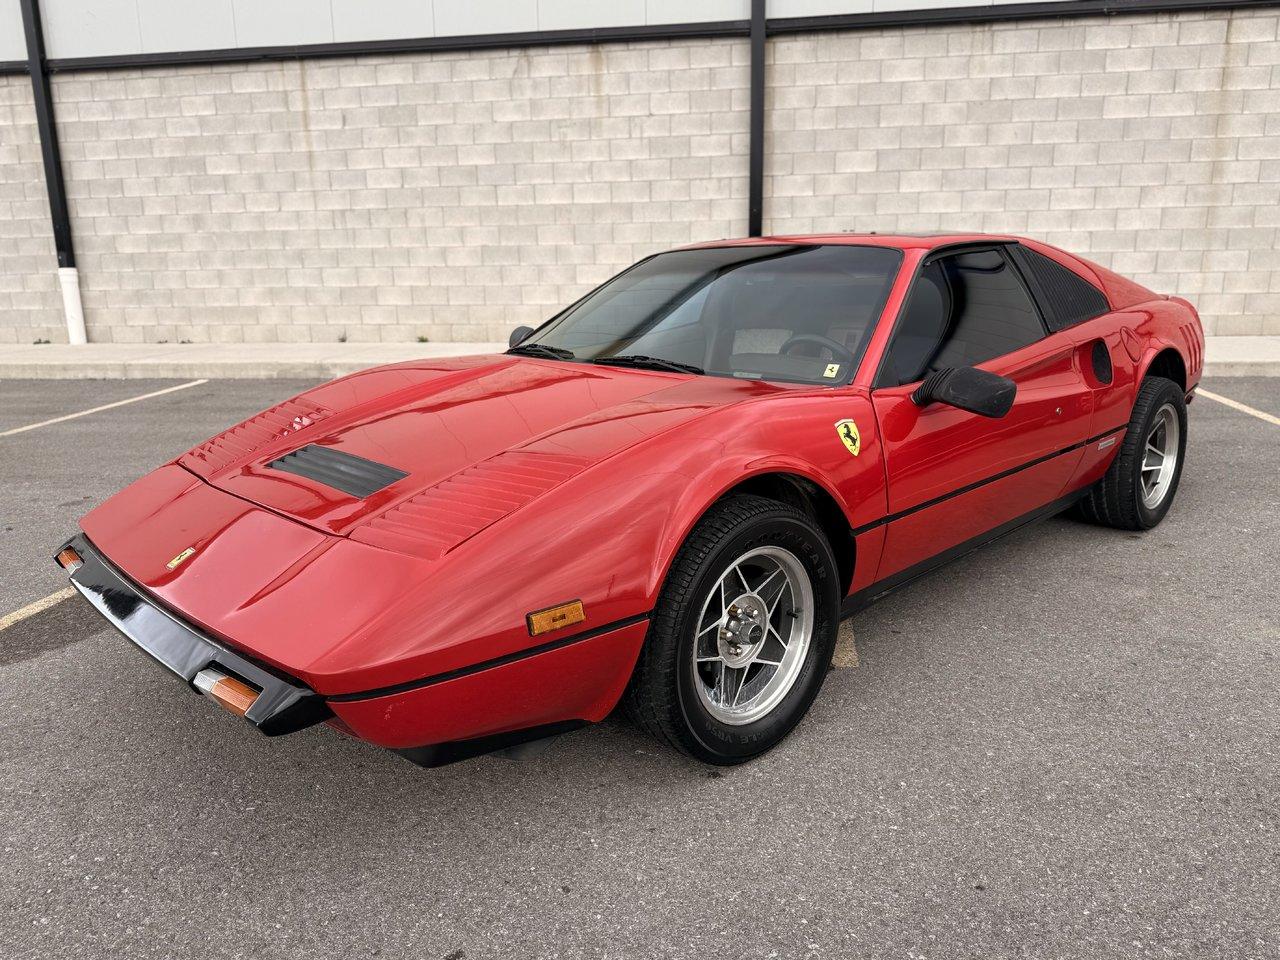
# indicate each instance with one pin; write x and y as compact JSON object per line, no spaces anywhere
{"x":30,"y":303}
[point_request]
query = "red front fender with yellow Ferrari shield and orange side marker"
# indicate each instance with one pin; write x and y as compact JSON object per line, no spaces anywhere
{"x":606,"y":538}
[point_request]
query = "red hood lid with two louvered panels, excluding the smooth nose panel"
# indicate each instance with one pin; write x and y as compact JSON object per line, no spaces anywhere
{"x":458,"y":444}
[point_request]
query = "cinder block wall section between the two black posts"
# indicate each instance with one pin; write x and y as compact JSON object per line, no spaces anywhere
{"x":446,"y":196}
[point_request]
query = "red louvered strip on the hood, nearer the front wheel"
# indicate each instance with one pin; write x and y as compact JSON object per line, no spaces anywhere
{"x":437,"y":520}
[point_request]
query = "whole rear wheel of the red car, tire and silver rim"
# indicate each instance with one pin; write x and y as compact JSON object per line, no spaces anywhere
{"x":1142,"y":481}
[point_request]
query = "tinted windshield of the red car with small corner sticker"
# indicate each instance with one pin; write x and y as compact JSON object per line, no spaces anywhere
{"x":793,"y":313}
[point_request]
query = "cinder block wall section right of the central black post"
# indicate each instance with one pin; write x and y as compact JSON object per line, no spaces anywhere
{"x":1151,"y":144}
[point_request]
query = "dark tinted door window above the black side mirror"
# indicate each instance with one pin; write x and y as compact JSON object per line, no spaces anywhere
{"x":964,"y":309}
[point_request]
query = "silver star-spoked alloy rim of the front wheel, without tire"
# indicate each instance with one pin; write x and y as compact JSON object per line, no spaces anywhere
{"x":753,"y":636}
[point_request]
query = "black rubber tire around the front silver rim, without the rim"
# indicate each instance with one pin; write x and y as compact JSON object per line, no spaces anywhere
{"x":662,"y":698}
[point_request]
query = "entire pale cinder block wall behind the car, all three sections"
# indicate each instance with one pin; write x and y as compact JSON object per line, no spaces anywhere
{"x":455,"y":196}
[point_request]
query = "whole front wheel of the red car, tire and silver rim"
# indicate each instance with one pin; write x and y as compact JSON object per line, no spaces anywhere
{"x":743,"y":633}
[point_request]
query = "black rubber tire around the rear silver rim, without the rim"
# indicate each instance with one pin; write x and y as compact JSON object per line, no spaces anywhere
{"x":1117,"y":500}
